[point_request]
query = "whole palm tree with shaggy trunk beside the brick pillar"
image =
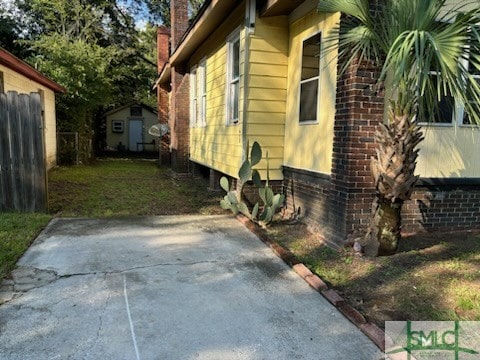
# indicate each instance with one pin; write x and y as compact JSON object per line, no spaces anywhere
{"x":427,"y":53}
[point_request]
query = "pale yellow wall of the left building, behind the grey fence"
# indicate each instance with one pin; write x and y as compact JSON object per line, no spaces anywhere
{"x":14,"y":81}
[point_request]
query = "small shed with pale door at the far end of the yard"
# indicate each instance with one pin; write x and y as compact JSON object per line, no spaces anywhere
{"x":127,"y":128}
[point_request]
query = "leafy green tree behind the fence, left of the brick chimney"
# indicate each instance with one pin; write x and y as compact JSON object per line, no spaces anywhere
{"x":93,"y":49}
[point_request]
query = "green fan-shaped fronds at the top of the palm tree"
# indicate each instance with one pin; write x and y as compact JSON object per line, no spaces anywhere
{"x":420,"y":45}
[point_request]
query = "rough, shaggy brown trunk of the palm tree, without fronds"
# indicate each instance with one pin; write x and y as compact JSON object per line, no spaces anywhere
{"x":393,"y":170}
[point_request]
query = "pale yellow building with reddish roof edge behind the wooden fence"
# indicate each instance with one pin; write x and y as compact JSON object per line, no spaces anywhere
{"x":16,"y":75}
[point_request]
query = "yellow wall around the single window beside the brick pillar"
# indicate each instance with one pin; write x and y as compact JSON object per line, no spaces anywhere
{"x":309,"y":146}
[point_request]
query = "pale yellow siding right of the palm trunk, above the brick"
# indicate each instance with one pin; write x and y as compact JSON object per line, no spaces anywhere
{"x":449,"y":152}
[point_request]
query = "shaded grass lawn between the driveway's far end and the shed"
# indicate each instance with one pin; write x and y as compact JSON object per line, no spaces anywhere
{"x":125,"y":188}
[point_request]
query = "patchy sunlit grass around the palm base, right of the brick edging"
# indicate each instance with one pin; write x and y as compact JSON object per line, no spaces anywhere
{"x":432,"y":277}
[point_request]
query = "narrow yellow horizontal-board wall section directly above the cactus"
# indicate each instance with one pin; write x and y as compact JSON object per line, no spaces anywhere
{"x":267,"y":91}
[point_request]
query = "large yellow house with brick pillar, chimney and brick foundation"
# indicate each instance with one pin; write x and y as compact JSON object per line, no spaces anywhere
{"x":257,"y":70}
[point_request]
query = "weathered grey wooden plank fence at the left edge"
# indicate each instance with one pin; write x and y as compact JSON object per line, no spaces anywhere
{"x":23,"y":175}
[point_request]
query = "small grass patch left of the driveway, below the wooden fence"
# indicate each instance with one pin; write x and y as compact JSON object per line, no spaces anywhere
{"x":17,"y":231}
